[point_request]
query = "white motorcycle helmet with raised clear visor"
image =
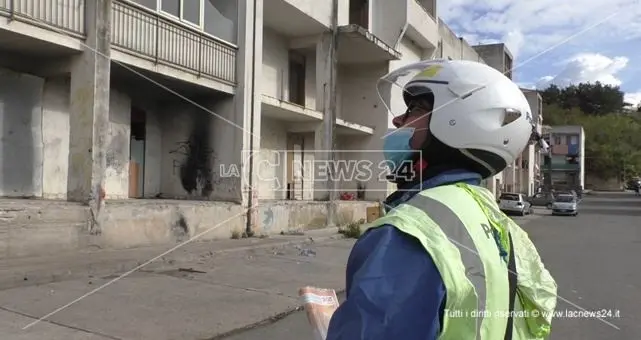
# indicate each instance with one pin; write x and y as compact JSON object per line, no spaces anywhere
{"x":477,"y":110}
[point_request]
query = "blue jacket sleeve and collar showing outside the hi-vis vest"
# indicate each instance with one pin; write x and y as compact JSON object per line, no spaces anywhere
{"x":393,"y":288}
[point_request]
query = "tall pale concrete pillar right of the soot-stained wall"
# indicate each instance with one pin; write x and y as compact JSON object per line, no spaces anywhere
{"x":248,"y":98}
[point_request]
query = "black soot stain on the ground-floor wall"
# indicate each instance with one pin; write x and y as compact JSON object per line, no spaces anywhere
{"x":196,"y":167}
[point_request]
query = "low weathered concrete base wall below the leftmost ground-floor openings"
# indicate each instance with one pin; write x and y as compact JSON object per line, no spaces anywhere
{"x":44,"y":227}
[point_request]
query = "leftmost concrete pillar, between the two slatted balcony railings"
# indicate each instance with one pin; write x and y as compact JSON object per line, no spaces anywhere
{"x":89,"y":106}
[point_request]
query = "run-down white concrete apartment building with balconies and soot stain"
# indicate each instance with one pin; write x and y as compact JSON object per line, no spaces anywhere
{"x":166,"y":99}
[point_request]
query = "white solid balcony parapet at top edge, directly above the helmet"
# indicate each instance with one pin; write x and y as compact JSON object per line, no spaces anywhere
{"x":422,"y":25}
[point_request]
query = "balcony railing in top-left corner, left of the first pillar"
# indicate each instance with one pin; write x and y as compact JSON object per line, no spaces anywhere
{"x":61,"y":15}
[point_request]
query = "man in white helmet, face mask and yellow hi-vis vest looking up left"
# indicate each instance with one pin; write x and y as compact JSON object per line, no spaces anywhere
{"x":444,"y":262}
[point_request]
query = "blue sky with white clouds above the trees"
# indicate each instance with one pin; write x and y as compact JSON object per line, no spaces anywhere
{"x":558,"y":41}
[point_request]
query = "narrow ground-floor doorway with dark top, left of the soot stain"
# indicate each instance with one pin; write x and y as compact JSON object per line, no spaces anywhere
{"x":137,"y":147}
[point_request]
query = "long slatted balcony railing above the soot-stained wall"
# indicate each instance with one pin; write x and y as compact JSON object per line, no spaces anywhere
{"x":147,"y":34}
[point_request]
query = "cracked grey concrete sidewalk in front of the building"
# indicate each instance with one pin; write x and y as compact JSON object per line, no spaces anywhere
{"x":199,"y":291}
